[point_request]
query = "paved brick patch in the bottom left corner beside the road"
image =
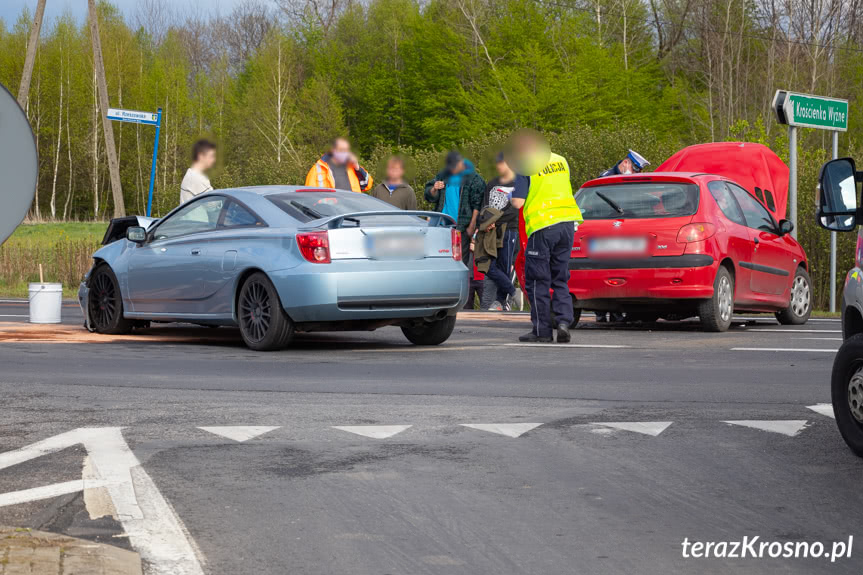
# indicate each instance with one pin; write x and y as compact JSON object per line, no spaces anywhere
{"x":28,"y":552}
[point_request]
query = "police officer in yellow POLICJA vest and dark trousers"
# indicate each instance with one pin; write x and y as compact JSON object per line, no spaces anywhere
{"x":550,"y":217}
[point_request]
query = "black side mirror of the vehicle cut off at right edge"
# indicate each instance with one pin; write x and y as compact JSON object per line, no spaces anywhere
{"x":837,"y":195}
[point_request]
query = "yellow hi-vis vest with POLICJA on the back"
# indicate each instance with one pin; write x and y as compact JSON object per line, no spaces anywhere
{"x":549,"y":199}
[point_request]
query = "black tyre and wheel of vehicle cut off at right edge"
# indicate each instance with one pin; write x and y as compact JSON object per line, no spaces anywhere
{"x":846,"y":390}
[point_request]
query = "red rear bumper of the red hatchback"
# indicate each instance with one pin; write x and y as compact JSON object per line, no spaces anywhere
{"x":688,"y":276}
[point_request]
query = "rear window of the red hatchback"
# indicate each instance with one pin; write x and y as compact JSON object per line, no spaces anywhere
{"x":638,"y":200}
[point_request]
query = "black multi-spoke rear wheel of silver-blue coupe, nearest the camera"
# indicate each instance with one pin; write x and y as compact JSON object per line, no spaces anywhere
{"x":263,"y":323}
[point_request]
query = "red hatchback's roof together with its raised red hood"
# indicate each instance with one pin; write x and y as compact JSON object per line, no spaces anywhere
{"x":750,"y":165}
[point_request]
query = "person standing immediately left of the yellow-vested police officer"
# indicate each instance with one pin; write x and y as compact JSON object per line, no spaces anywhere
{"x":498,"y":195}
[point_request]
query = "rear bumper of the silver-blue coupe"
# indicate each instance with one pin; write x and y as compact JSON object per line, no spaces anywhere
{"x":365,"y":290}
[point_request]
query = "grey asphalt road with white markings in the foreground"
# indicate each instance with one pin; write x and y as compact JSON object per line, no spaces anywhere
{"x":621,"y":449}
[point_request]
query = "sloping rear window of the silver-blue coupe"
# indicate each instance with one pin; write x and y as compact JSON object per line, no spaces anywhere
{"x":309,"y":206}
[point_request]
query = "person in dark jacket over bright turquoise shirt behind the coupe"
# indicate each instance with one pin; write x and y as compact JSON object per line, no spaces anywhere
{"x":457,"y":191}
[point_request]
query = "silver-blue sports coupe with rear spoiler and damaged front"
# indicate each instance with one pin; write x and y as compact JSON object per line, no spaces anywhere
{"x":278,"y":260}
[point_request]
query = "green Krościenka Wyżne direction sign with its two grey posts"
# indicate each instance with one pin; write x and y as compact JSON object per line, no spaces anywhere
{"x":808,"y":111}
